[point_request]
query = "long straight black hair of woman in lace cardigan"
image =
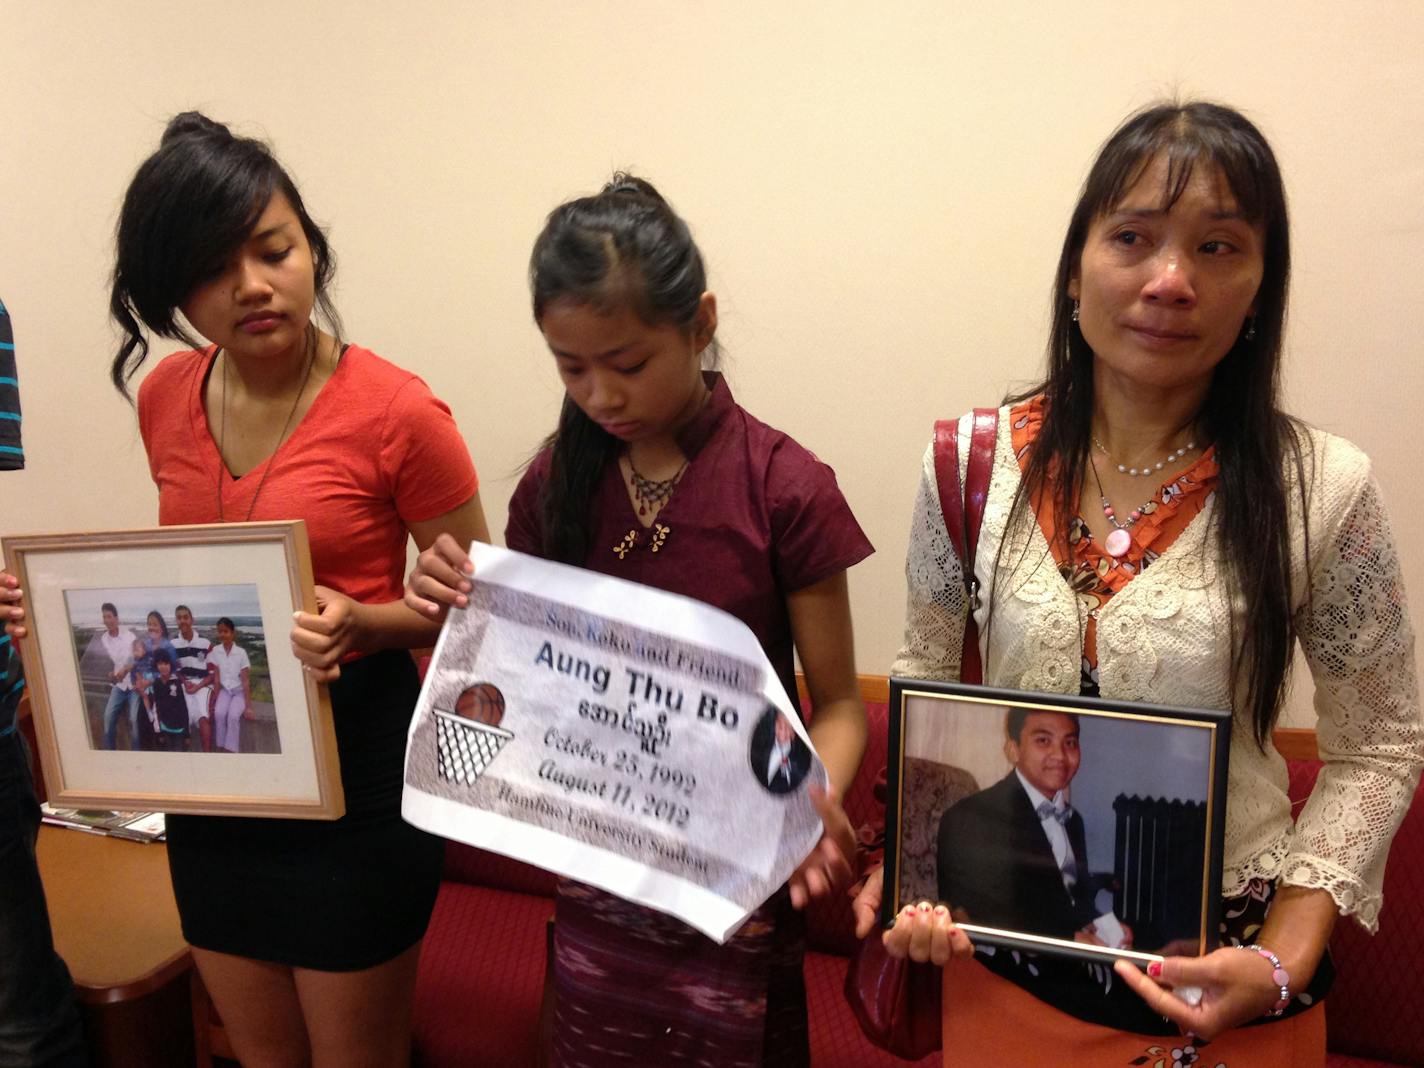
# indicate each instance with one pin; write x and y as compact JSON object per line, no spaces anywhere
{"x":1255,"y":439}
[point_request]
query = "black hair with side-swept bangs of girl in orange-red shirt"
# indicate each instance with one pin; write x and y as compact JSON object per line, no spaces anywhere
{"x":190,"y":207}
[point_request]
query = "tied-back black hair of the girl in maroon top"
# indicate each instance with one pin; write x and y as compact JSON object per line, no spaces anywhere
{"x":620,"y":248}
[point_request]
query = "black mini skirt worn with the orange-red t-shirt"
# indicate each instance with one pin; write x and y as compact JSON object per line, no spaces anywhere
{"x":327,"y":895}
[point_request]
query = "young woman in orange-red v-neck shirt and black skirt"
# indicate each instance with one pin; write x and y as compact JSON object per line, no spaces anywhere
{"x":305,"y":933}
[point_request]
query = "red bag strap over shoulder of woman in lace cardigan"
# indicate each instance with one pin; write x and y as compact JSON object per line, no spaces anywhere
{"x":962,"y":505}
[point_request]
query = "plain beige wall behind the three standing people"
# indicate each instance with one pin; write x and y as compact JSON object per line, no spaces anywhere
{"x":881,"y":192}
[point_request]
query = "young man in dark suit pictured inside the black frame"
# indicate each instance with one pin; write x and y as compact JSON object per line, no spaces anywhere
{"x":1015,"y":855}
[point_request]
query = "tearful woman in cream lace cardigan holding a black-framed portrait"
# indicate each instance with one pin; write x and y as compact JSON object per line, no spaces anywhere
{"x":1158,"y":529}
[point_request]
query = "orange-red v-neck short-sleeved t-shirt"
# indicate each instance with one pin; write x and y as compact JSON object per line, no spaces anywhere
{"x":375,"y":454}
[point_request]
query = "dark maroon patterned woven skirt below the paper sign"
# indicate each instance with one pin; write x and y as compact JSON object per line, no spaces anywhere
{"x":639,"y":988}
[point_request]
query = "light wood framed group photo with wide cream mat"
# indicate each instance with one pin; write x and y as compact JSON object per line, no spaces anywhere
{"x":162,"y":676}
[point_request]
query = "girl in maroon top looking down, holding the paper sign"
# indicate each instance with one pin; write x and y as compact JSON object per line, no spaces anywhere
{"x":657,"y":475}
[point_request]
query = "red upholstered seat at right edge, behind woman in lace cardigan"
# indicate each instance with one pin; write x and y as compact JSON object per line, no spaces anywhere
{"x":1375,"y":1015}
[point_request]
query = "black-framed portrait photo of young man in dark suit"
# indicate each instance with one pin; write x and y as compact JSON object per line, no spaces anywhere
{"x":1074,"y":827}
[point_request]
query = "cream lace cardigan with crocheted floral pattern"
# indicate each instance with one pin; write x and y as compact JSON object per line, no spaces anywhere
{"x":1166,"y":639}
